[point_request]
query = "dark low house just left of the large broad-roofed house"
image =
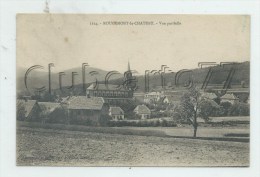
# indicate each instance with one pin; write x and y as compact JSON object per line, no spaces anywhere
{"x":52,"y":112}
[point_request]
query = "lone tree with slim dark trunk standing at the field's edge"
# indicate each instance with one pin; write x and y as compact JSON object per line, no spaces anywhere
{"x":193,"y":105}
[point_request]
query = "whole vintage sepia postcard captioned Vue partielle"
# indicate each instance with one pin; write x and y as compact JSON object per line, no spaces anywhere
{"x":132,"y":90}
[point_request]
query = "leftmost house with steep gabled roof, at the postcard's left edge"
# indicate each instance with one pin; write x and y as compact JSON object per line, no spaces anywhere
{"x":29,"y":108}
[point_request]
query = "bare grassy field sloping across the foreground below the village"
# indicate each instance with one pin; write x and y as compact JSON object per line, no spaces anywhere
{"x":73,"y":148}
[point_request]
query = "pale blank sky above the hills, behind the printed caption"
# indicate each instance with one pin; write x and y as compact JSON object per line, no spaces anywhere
{"x":69,"y":40}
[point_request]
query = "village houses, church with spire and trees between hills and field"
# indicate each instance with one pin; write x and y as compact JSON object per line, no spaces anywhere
{"x":113,"y":105}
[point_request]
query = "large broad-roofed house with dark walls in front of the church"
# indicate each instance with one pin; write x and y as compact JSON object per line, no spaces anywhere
{"x":82,"y":109}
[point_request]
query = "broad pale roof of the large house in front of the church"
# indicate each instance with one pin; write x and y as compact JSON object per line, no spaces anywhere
{"x":83,"y":102}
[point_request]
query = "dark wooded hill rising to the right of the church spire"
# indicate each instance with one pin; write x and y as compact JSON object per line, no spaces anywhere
{"x":219,"y":75}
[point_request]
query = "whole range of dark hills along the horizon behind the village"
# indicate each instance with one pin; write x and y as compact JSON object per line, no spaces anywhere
{"x":219,"y":75}
